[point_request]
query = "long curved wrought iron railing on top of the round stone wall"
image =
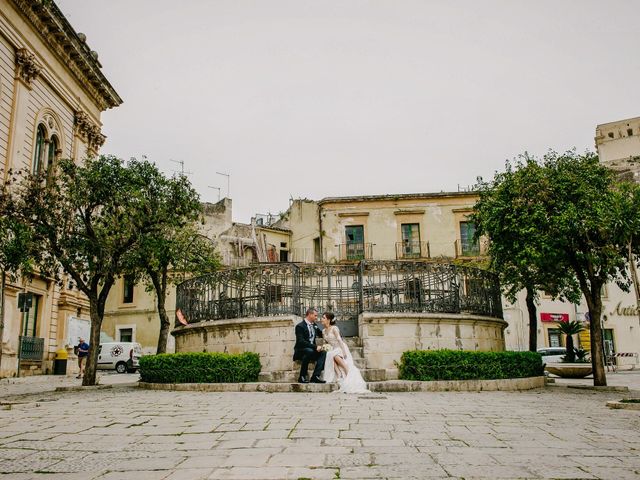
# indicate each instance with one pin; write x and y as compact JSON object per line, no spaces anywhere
{"x":346,"y":289}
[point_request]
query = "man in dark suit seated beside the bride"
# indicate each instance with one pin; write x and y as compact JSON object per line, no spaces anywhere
{"x":306,"y":350}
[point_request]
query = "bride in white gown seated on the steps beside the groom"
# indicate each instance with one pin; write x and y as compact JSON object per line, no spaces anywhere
{"x":339,"y":364}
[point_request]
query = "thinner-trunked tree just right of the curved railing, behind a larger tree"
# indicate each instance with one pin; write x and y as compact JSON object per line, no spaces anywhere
{"x":510,"y":212}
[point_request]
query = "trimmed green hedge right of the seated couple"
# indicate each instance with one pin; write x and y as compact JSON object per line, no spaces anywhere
{"x":459,"y":365}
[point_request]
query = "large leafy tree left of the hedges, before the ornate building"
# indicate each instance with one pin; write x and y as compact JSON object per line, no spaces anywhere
{"x":90,"y":218}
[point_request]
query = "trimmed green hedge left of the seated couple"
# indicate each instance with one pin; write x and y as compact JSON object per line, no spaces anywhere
{"x":197,"y":367}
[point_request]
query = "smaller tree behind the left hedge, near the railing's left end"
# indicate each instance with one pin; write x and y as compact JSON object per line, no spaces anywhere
{"x":168,"y":256}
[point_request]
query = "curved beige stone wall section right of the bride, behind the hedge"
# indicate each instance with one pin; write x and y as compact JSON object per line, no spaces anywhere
{"x":385,"y":336}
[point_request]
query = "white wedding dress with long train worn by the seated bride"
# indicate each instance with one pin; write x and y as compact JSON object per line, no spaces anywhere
{"x":353,"y":383}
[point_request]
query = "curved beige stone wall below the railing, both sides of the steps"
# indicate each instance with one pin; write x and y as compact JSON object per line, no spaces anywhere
{"x":384,"y":337}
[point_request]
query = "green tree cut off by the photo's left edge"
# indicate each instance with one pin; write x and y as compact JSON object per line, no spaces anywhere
{"x":16,"y":247}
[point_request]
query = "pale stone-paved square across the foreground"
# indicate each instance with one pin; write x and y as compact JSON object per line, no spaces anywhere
{"x":129,"y":433}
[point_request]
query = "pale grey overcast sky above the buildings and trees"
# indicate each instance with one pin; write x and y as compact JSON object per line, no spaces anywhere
{"x":322,"y":98}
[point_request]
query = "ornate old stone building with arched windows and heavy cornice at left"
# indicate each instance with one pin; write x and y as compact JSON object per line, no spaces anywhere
{"x":52,"y":93}
